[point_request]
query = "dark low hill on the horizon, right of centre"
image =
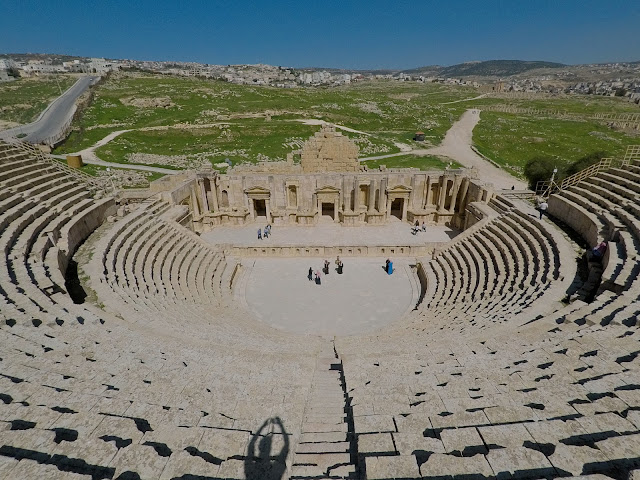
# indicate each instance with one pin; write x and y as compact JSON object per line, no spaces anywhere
{"x":489,"y":68}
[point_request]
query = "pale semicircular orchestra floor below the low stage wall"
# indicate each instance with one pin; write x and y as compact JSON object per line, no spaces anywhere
{"x":362,"y":299}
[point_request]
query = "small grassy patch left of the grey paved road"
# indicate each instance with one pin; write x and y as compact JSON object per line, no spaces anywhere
{"x":22,"y":100}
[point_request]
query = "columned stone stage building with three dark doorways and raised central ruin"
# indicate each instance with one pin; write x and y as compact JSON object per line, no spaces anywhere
{"x":329,"y":185}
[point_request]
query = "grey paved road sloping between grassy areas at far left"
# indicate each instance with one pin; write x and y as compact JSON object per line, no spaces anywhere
{"x":54,"y":118}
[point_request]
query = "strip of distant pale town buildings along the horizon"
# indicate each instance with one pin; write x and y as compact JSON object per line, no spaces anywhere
{"x":611,"y":79}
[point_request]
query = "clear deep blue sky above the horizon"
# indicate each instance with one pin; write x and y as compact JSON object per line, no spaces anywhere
{"x":372,"y":34}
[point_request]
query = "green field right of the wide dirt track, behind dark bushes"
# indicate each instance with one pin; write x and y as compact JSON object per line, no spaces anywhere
{"x":510,"y":140}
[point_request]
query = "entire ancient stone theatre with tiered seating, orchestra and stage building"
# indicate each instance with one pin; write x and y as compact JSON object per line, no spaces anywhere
{"x":134,"y":345}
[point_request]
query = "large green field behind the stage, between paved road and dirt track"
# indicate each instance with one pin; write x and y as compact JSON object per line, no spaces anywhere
{"x":389,"y":111}
